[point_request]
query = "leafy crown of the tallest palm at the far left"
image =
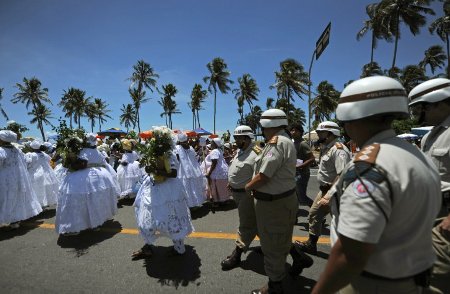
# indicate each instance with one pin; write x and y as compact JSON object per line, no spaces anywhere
{"x":30,"y":92}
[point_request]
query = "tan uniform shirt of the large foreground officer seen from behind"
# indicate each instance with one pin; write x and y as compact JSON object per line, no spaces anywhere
{"x":398,"y":214}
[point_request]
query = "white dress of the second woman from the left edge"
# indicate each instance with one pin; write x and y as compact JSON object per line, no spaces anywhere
{"x":43,"y":178}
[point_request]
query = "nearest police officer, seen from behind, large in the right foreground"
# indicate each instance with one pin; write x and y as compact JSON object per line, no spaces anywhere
{"x":385,"y":202}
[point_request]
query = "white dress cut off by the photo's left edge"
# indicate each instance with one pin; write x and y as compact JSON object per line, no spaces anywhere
{"x":17,"y":198}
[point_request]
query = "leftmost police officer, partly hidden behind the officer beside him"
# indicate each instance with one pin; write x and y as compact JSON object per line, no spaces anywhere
{"x":240,"y":173}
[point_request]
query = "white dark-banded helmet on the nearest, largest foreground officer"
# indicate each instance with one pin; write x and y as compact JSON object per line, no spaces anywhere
{"x":372,"y":96}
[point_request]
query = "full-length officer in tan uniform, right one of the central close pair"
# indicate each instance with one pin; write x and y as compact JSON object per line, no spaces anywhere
{"x":273,"y":187}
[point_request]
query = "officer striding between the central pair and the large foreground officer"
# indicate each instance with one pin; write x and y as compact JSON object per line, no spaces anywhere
{"x":334,"y":157}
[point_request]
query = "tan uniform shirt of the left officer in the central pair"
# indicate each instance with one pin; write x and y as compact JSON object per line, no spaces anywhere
{"x":240,"y":171}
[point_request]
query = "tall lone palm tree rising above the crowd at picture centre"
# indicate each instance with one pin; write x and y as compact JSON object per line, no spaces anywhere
{"x":218,"y":79}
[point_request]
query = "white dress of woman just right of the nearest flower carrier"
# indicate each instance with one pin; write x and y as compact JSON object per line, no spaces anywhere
{"x":190,"y":173}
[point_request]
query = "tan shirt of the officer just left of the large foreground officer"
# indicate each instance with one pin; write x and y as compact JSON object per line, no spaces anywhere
{"x":334,"y":158}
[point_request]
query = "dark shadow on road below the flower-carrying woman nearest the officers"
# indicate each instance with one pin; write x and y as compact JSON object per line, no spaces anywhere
{"x":173,"y":270}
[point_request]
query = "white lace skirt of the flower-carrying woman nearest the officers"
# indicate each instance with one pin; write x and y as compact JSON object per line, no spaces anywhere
{"x":161,"y":209}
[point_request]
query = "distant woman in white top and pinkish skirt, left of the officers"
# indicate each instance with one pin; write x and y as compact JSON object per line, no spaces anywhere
{"x":217,"y":174}
